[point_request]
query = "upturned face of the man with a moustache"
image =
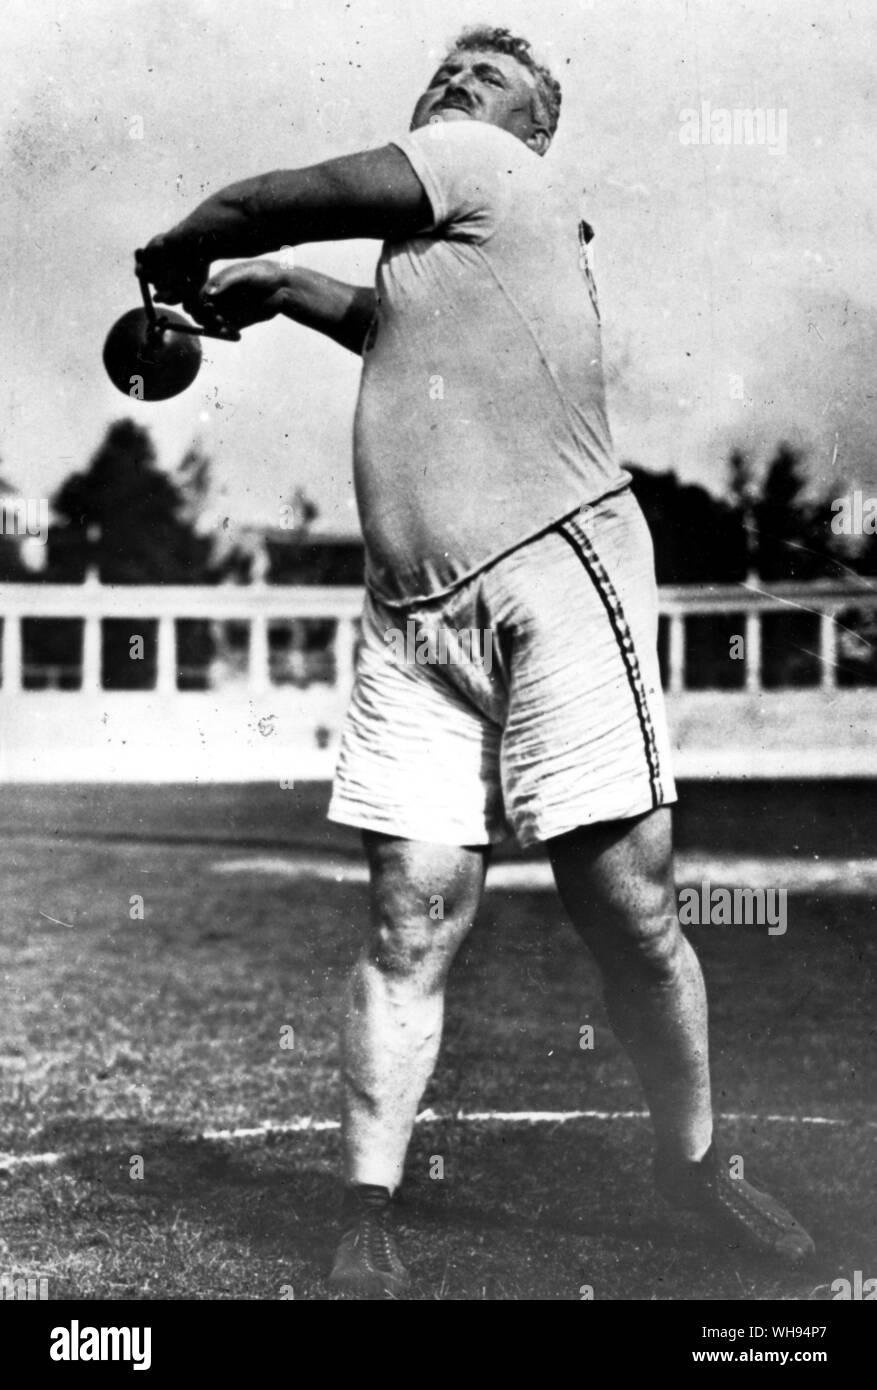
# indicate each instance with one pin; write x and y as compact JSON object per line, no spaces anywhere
{"x":484,"y":87}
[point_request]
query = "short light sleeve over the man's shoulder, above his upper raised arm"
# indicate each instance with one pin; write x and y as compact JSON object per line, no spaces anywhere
{"x":468,"y":170}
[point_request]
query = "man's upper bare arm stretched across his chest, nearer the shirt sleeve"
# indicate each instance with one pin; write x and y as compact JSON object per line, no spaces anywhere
{"x":375,"y":194}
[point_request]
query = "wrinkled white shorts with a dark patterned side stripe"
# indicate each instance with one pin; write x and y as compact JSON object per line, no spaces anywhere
{"x":527,"y":701}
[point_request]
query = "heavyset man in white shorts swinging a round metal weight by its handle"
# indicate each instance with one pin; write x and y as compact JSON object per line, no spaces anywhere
{"x":491,"y":501}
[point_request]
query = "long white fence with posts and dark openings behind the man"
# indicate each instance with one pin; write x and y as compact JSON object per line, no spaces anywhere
{"x":265,"y":711}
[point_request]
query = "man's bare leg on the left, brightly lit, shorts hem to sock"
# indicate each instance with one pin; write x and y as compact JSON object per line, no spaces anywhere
{"x":423,"y":903}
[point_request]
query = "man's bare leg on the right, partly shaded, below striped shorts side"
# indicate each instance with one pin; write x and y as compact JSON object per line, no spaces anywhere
{"x":616,"y":883}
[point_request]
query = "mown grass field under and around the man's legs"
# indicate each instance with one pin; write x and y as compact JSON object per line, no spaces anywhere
{"x":127,"y":1038}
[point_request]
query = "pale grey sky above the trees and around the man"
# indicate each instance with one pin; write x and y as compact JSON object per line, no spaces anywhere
{"x":739,"y":281}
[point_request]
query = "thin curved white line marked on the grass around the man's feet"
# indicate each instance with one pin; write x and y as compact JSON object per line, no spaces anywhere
{"x":306,"y":1124}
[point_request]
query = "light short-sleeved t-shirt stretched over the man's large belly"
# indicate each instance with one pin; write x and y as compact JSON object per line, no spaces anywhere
{"x":482,"y":414}
